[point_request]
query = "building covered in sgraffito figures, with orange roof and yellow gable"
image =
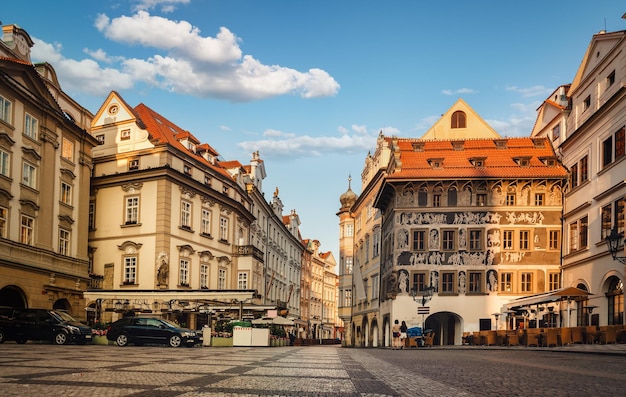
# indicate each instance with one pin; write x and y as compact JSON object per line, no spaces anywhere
{"x":472,"y":215}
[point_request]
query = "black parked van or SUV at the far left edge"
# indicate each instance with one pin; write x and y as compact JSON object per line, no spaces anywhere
{"x":45,"y":325}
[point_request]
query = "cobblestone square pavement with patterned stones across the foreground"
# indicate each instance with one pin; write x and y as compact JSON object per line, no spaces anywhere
{"x":95,"y":370}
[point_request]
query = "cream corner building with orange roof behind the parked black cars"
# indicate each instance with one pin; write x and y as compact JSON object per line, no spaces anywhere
{"x":169,"y":224}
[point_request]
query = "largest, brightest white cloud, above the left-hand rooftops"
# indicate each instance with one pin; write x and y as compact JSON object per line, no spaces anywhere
{"x":214,"y":67}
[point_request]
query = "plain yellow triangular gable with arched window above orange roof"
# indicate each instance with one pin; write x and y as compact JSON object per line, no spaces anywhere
{"x":460,"y":122}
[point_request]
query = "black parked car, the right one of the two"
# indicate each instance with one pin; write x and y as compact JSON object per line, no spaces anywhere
{"x":150,"y":330}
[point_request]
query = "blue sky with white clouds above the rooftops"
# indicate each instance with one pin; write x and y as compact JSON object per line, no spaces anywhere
{"x":311,"y":84}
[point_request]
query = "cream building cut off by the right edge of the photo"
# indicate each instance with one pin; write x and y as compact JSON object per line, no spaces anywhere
{"x":592,"y":146}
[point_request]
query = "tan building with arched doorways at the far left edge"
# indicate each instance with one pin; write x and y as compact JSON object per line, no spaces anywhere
{"x":45,"y":166}
